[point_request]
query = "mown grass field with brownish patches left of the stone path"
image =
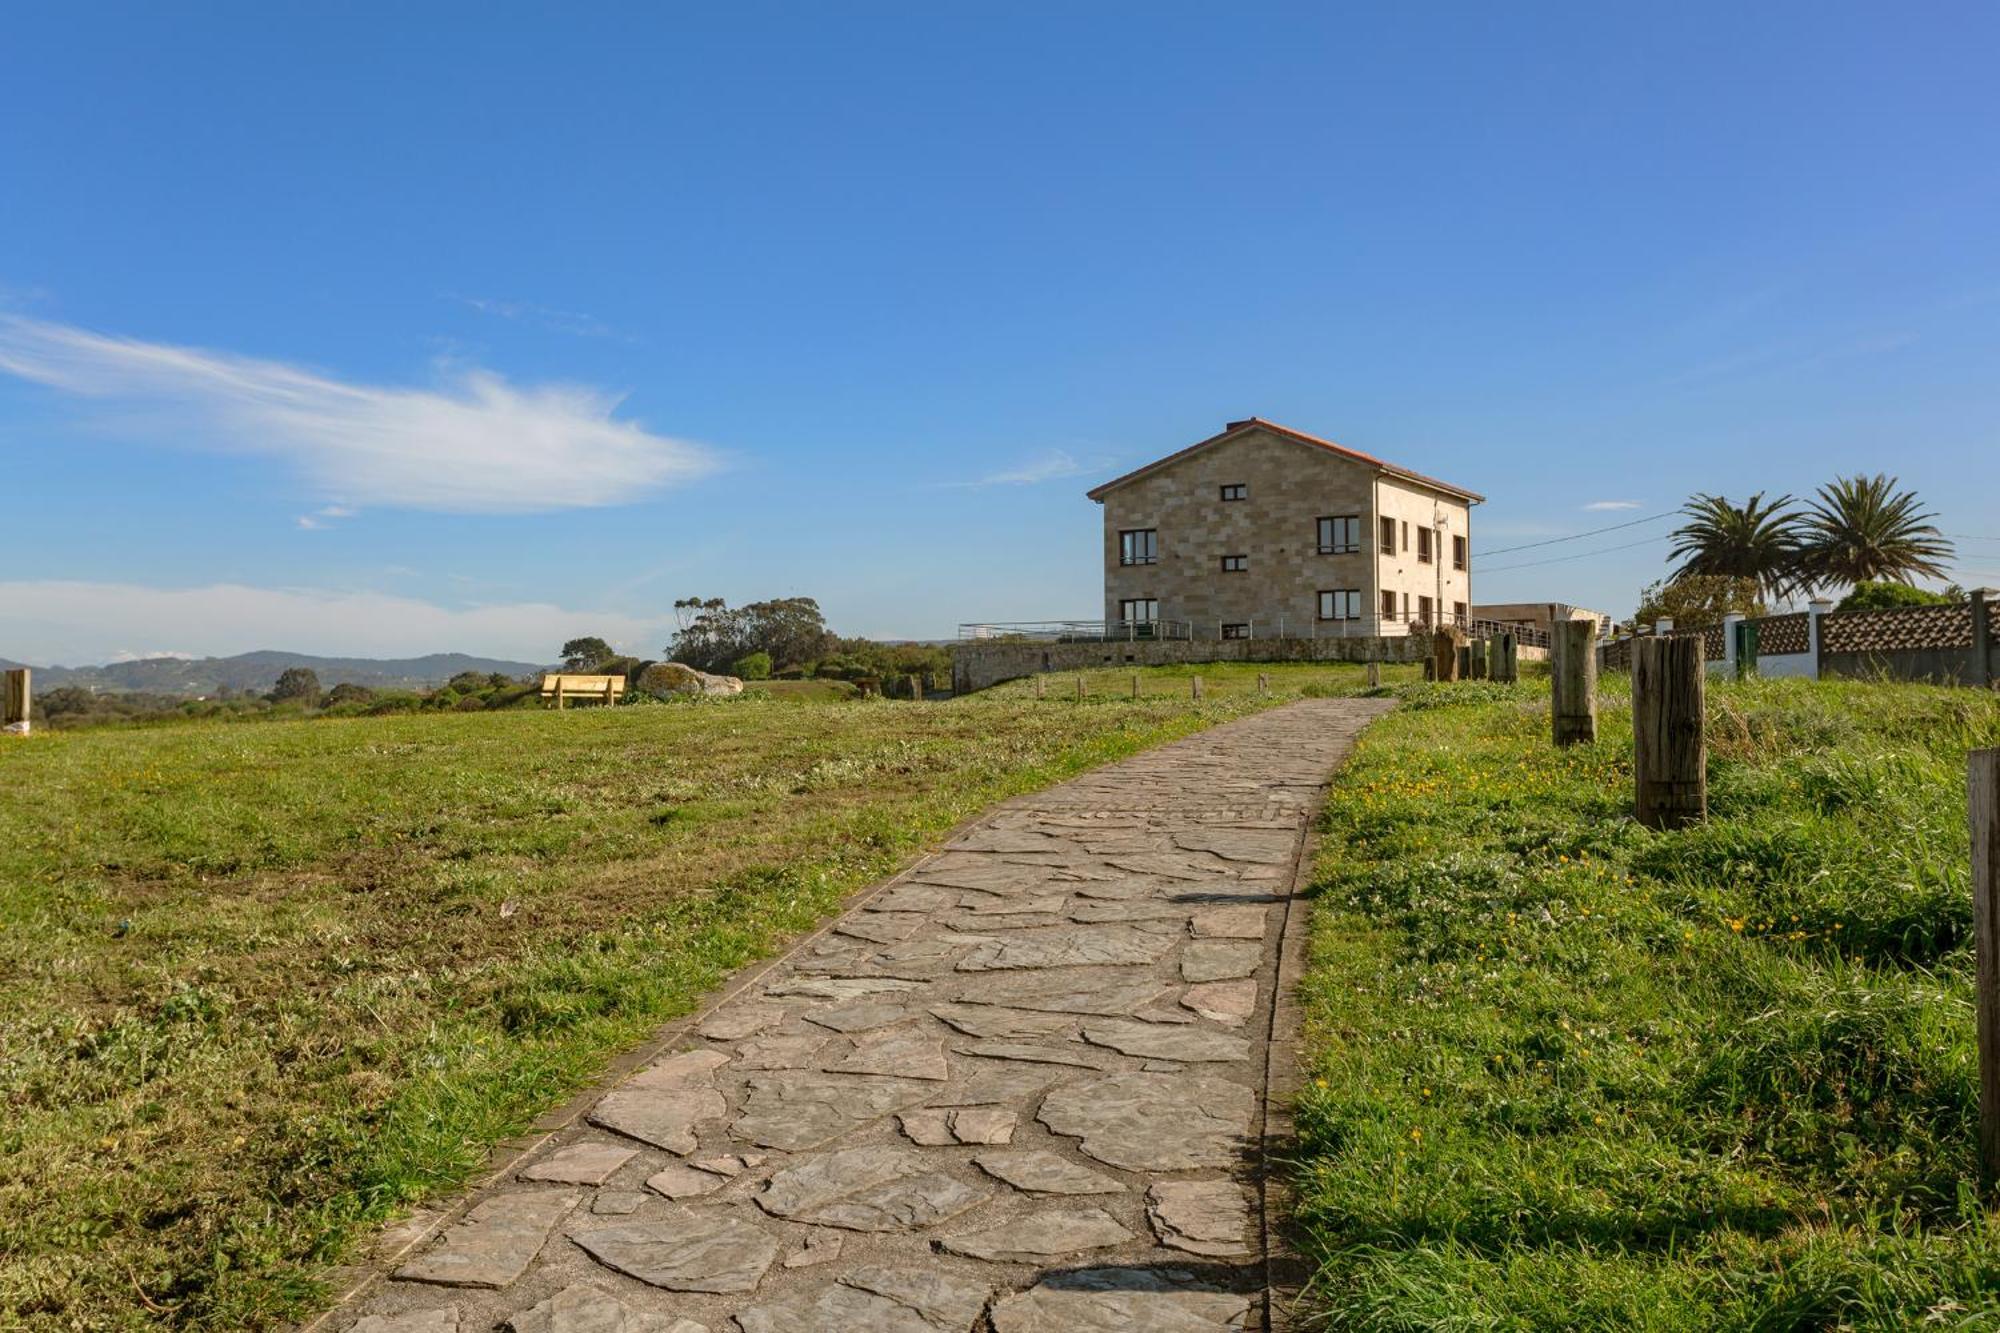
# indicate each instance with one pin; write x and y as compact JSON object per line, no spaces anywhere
{"x":267,"y":986}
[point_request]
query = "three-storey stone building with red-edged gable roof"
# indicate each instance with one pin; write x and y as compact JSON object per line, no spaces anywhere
{"x":1265,"y":531}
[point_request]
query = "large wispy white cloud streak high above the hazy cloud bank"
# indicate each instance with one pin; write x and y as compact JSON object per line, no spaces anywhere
{"x":469,"y":445}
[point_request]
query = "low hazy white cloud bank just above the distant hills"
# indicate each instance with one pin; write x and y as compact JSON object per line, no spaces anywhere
{"x":69,"y":621}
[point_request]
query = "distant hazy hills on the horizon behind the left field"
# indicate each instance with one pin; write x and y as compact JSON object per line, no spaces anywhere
{"x":259,"y":672}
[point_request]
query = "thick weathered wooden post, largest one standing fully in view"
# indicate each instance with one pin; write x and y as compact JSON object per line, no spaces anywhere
{"x":1669,"y":748}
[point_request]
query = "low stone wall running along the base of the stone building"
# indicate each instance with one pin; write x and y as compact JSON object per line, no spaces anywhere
{"x":979,"y":665}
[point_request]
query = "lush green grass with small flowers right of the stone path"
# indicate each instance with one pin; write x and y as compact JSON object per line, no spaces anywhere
{"x":1573,"y":1074}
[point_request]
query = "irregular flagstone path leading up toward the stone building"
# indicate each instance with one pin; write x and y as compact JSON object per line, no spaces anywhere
{"x":1017,"y":1090}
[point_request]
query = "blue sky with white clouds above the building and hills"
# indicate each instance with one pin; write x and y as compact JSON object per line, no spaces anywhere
{"x":395,"y":329}
